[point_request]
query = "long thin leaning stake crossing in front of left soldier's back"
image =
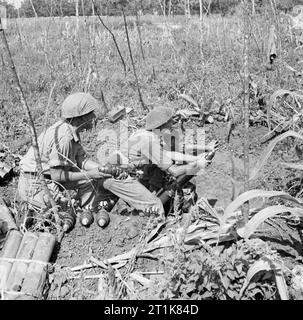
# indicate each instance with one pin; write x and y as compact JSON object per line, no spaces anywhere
{"x":27,"y":110}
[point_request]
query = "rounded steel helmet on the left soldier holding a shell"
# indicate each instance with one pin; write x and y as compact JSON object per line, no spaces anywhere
{"x":78,"y":104}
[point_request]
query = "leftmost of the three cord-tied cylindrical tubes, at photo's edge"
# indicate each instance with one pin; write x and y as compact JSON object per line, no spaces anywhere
{"x":9,"y":251}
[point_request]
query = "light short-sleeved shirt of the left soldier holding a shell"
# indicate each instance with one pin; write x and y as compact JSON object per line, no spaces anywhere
{"x":59,"y":145}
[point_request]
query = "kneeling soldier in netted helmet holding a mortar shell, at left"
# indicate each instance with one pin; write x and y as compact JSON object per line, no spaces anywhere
{"x":66,"y":165}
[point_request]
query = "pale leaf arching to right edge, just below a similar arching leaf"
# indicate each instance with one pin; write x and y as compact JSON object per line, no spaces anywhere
{"x":264,"y":214}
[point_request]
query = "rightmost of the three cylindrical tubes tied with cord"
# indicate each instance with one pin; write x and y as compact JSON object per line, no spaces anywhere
{"x":35,"y":278}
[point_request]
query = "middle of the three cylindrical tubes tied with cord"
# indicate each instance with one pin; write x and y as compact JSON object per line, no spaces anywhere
{"x":26,"y":250}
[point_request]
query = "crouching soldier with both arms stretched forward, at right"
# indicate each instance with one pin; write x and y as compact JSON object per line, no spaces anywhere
{"x":146,"y":149}
